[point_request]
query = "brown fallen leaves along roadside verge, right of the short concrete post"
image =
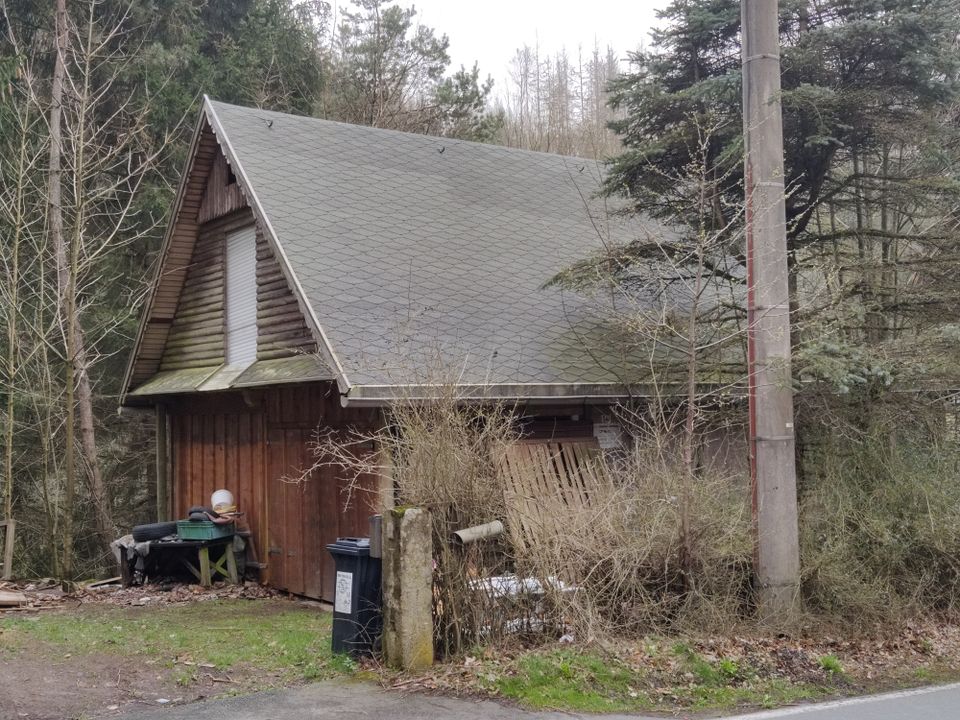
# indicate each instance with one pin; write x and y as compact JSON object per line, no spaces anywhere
{"x":916,"y":651}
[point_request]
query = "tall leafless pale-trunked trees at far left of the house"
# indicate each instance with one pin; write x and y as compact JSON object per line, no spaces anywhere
{"x":97,"y":156}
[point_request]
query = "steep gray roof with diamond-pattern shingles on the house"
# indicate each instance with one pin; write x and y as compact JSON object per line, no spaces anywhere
{"x":423,"y":258}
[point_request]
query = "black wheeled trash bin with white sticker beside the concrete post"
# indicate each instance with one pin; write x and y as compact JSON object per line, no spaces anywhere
{"x":357,"y":618}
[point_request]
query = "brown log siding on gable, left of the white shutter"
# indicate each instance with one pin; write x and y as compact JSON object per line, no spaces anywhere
{"x":196,"y":336}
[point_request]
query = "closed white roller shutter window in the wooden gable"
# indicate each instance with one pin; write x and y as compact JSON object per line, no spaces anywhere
{"x":241,"y":309}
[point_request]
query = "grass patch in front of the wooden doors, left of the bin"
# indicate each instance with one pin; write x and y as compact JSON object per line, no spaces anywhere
{"x":284,"y":642}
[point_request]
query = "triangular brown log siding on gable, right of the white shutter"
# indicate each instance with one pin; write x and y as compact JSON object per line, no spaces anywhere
{"x":281,"y":328}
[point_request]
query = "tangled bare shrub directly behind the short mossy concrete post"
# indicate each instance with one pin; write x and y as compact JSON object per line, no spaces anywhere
{"x":443,"y":455}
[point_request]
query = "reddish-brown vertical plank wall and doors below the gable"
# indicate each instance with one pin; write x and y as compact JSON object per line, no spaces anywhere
{"x":248,"y":443}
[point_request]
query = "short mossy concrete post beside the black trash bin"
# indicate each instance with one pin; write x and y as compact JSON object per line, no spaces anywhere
{"x":407,"y":588}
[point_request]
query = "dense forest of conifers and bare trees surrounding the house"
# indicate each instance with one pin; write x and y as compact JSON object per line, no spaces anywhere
{"x":98,"y":98}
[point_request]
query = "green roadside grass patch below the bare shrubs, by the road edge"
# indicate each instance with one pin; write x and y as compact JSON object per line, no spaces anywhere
{"x":579,"y":680}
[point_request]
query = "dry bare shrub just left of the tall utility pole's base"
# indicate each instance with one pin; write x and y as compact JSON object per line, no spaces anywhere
{"x":625,"y":552}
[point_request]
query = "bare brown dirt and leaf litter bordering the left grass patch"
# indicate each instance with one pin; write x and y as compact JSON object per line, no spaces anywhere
{"x":40,"y":681}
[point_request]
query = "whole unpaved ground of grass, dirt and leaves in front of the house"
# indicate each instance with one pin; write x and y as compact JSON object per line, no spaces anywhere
{"x":53,"y":670}
